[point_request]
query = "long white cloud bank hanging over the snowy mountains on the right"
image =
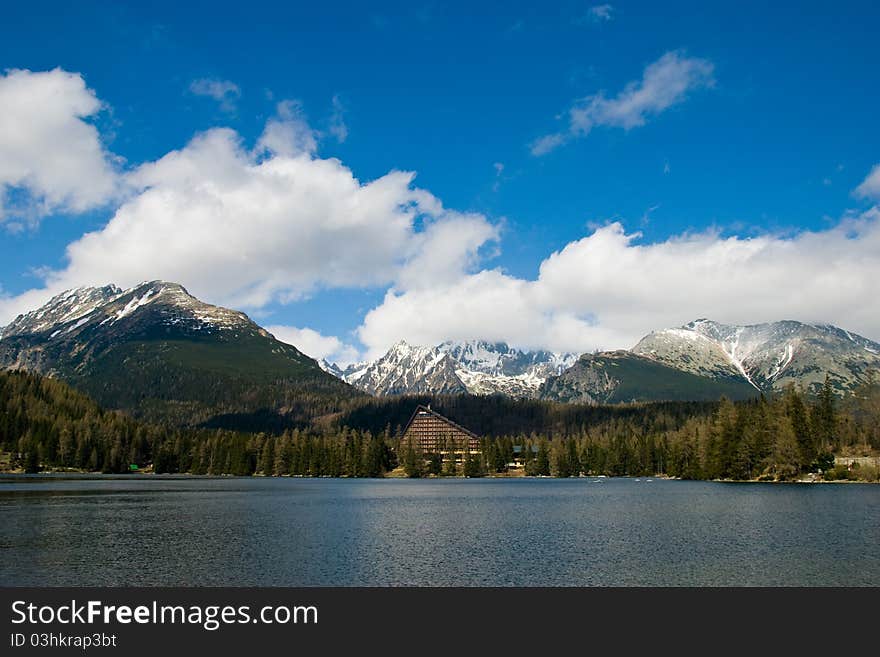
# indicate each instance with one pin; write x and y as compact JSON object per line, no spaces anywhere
{"x":608,"y":289}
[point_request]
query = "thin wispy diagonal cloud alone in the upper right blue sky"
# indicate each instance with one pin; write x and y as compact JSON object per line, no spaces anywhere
{"x":665,"y":82}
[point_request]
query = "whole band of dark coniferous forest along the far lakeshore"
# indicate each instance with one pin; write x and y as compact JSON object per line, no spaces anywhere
{"x":45,"y":425}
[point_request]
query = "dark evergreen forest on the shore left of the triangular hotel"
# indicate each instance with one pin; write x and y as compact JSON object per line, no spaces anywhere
{"x":46,"y":424}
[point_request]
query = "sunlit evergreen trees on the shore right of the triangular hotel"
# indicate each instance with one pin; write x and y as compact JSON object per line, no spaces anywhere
{"x":771,"y":439}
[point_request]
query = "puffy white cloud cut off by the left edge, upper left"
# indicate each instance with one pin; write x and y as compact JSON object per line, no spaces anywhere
{"x":51,"y":157}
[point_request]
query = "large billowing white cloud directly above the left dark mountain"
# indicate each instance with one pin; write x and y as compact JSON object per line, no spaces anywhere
{"x":245,"y":228}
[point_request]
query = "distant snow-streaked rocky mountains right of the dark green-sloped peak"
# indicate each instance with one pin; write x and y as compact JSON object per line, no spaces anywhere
{"x":699,"y":361}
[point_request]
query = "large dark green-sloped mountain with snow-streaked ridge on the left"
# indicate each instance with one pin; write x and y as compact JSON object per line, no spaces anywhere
{"x":162,"y":355}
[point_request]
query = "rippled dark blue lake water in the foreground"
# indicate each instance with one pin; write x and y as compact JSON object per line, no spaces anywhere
{"x":176,"y":531}
